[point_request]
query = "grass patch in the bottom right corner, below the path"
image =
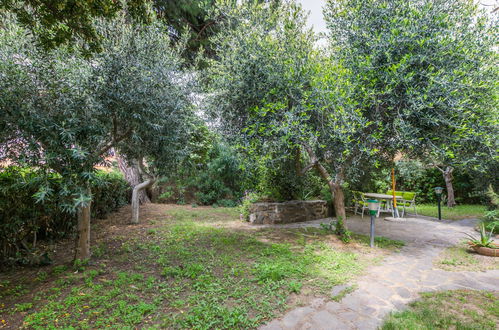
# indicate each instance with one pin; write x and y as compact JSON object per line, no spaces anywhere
{"x":460,"y":309}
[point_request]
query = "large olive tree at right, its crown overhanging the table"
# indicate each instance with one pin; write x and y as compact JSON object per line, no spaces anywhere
{"x":426,"y":76}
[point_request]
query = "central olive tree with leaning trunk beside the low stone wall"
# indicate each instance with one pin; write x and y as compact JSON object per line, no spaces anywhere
{"x":272,"y":91}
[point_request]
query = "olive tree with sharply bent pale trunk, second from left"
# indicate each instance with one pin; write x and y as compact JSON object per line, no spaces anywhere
{"x":139,"y":79}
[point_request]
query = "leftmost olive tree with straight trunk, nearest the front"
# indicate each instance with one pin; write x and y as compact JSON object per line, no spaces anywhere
{"x":65,"y":113}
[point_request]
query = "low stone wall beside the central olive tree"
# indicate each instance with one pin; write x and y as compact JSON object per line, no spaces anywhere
{"x":287,"y":212}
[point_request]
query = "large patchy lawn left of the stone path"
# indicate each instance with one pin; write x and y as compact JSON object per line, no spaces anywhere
{"x":183,"y":267}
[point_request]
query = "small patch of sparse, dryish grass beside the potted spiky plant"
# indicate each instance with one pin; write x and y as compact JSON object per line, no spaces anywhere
{"x":460,"y":258}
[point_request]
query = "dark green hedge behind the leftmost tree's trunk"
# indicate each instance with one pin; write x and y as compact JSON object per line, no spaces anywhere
{"x":22,"y":217}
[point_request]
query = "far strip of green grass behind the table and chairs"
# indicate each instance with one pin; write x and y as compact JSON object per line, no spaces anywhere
{"x":457,"y":212}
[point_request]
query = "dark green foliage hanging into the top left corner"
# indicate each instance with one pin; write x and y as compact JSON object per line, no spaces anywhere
{"x":56,"y":22}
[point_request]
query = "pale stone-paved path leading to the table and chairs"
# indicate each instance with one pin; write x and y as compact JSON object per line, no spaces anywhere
{"x":397,"y":281}
